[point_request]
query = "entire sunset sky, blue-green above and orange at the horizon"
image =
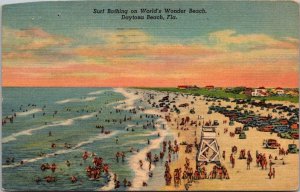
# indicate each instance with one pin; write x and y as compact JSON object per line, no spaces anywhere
{"x":64,"y":44}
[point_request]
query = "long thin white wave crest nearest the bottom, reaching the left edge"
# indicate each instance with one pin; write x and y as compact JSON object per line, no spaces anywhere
{"x":64,"y":151}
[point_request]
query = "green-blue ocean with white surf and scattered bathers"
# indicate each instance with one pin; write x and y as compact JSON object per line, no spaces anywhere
{"x":71,"y":115}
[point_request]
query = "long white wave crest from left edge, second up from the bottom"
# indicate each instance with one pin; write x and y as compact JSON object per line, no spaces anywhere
{"x":67,"y":122}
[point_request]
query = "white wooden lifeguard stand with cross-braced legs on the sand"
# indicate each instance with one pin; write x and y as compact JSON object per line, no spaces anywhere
{"x":209,"y":149}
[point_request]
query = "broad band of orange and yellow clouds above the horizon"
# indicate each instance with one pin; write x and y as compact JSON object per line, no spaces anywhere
{"x":132,"y":57}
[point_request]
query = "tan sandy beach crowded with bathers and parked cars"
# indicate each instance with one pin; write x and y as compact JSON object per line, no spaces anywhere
{"x":240,"y":178}
